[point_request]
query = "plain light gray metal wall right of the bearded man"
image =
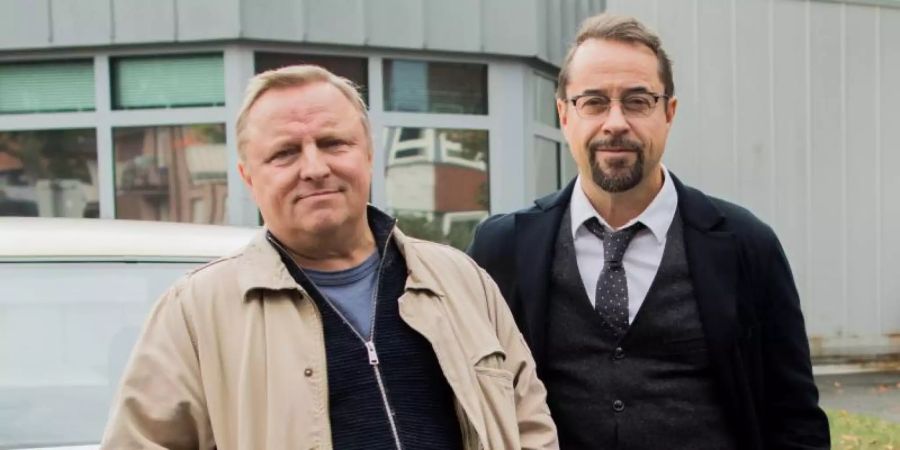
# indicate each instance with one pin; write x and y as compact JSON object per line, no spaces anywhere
{"x":790,"y":108}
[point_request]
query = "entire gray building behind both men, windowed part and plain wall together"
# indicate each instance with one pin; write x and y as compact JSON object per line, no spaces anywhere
{"x":126,"y":109}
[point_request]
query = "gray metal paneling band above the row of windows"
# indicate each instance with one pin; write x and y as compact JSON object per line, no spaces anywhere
{"x":529,"y":28}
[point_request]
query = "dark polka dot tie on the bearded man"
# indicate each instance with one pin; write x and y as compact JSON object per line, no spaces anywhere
{"x":612,"y":287}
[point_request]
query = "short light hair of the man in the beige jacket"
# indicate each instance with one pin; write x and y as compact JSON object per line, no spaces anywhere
{"x":295,"y":76}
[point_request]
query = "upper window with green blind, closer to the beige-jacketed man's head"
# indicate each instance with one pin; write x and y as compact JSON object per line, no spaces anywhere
{"x":170,"y":81}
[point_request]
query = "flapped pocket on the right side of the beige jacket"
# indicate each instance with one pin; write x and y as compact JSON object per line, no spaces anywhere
{"x":498,"y":402}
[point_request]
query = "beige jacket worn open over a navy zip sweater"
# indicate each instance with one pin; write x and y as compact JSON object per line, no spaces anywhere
{"x":233,"y":357}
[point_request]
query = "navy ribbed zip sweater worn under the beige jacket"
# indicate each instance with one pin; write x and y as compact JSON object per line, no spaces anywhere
{"x":417,"y":392}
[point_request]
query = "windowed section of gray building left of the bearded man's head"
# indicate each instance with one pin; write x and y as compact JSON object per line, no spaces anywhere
{"x":126,"y":109}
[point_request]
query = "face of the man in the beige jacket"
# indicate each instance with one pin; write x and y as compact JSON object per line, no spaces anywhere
{"x":307,"y":160}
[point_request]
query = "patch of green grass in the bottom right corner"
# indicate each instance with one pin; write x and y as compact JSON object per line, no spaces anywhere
{"x":851,"y":431}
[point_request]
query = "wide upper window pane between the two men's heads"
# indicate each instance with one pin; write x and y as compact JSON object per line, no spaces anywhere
{"x":437,"y":87}
